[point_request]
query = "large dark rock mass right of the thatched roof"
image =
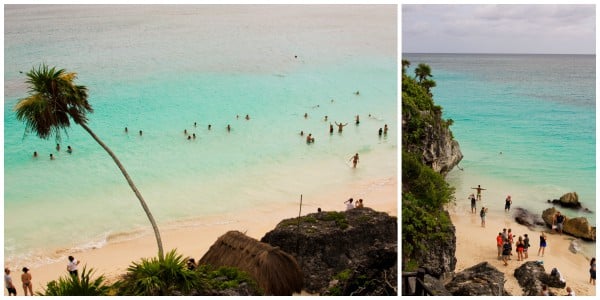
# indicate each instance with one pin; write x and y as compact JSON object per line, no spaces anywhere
{"x":342,"y":253}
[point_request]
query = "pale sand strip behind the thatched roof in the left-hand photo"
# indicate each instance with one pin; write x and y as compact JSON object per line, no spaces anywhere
{"x":194,"y":240}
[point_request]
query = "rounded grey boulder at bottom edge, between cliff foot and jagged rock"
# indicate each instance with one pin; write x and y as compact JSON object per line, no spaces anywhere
{"x":482,"y":279}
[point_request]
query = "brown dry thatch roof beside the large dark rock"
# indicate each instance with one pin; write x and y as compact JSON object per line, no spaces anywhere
{"x":275,"y":271}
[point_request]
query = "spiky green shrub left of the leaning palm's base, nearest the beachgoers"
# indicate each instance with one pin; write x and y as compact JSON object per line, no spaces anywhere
{"x":69,"y":285}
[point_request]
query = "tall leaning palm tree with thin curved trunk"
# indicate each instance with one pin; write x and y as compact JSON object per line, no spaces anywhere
{"x":53,"y":100}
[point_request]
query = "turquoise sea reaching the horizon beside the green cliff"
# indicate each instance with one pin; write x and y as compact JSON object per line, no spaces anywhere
{"x":526,"y":125}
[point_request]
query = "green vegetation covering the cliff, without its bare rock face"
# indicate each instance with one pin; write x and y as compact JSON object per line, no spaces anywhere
{"x":424,"y":191}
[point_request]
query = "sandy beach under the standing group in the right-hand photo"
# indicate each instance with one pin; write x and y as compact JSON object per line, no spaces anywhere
{"x":469,"y":251}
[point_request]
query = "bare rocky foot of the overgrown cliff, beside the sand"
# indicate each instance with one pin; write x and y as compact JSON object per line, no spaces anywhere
{"x":439,"y":257}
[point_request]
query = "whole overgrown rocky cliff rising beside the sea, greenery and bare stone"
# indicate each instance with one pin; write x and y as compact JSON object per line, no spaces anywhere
{"x":429,"y":152}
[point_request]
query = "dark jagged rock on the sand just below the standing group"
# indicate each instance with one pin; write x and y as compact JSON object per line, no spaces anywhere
{"x":531,"y":275}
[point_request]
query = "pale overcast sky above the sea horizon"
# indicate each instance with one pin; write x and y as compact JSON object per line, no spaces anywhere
{"x":543,"y":28}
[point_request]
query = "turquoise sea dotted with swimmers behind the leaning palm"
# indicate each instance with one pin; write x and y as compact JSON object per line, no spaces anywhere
{"x":160,"y":70}
